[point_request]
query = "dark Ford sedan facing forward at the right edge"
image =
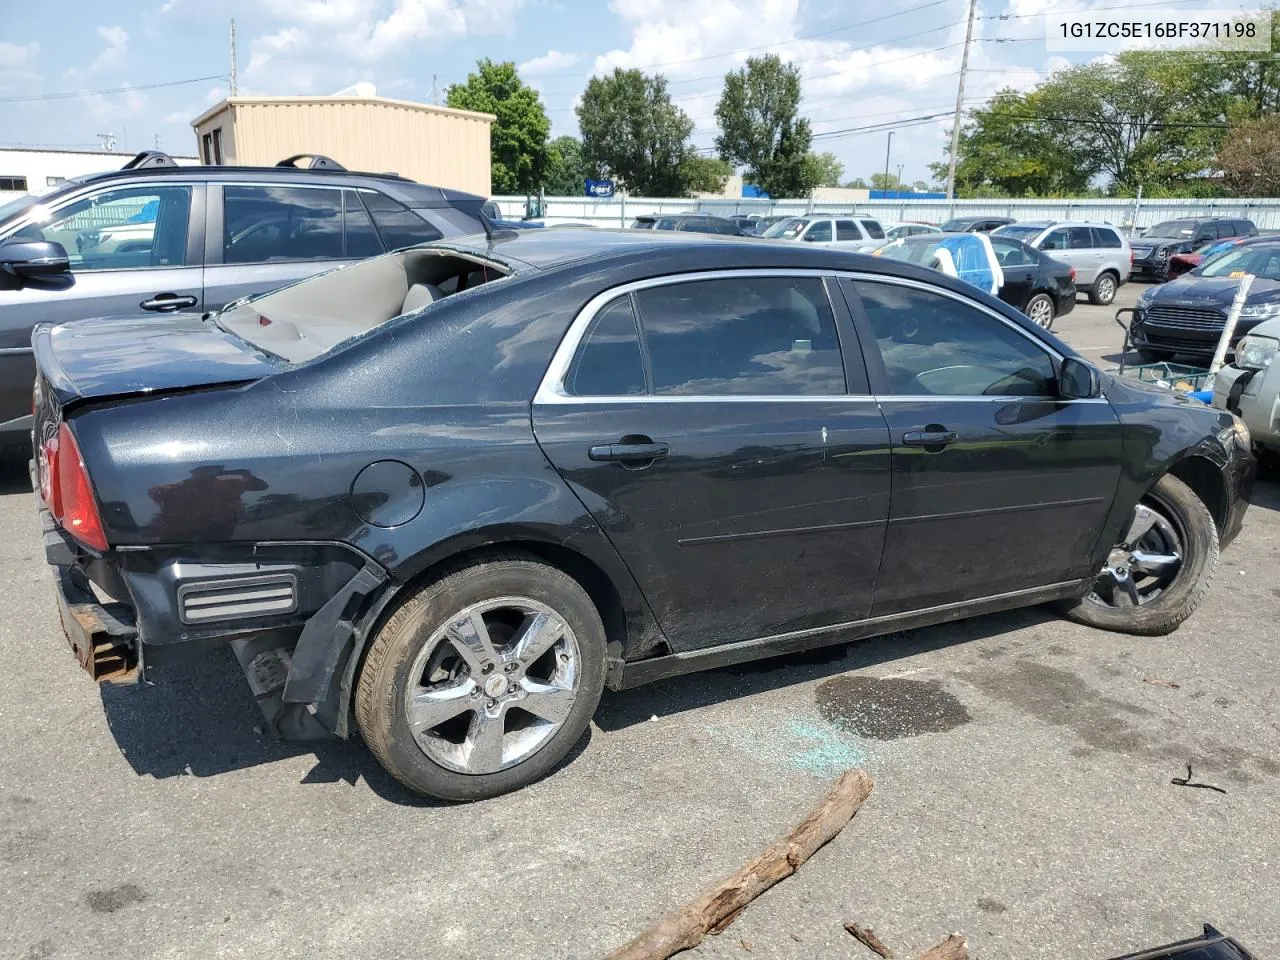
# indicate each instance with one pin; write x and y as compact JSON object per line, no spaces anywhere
{"x":1186,"y":317}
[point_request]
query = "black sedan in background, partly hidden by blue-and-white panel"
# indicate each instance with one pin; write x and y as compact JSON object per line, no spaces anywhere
{"x":1034,"y":282}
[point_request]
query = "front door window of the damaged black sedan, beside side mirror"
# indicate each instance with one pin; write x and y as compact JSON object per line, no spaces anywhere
{"x":939,"y":346}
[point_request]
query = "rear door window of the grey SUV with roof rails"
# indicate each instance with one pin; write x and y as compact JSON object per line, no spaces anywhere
{"x":268,"y":225}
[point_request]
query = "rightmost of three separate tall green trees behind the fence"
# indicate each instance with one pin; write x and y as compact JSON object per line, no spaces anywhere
{"x":760,"y":129}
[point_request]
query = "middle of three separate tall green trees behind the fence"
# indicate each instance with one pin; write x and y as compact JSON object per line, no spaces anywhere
{"x":634,"y":132}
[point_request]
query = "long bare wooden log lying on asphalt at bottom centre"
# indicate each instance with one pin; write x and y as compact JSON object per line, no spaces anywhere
{"x":717,"y":907}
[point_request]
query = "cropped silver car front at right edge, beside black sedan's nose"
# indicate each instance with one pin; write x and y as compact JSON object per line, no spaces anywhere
{"x":1250,"y":387}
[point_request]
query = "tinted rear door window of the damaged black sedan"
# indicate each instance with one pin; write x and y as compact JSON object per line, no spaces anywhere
{"x":755,"y":336}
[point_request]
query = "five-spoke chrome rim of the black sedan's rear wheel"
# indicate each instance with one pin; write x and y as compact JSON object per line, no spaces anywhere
{"x":493,"y":685}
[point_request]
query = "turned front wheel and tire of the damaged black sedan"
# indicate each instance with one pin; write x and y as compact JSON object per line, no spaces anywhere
{"x":1160,"y":572}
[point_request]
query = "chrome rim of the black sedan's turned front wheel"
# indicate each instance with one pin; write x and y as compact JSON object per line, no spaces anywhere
{"x":1144,"y":565}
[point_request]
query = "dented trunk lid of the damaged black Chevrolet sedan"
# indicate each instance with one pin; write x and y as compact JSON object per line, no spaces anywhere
{"x":122,"y":356}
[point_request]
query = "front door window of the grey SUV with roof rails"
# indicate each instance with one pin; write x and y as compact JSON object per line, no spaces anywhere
{"x":120,"y":230}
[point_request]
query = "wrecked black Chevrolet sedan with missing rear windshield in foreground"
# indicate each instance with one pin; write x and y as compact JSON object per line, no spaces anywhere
{"x":450,"y":495}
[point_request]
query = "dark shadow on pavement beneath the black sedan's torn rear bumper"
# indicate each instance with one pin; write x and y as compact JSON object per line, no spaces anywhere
{"x":200,"y":720}
